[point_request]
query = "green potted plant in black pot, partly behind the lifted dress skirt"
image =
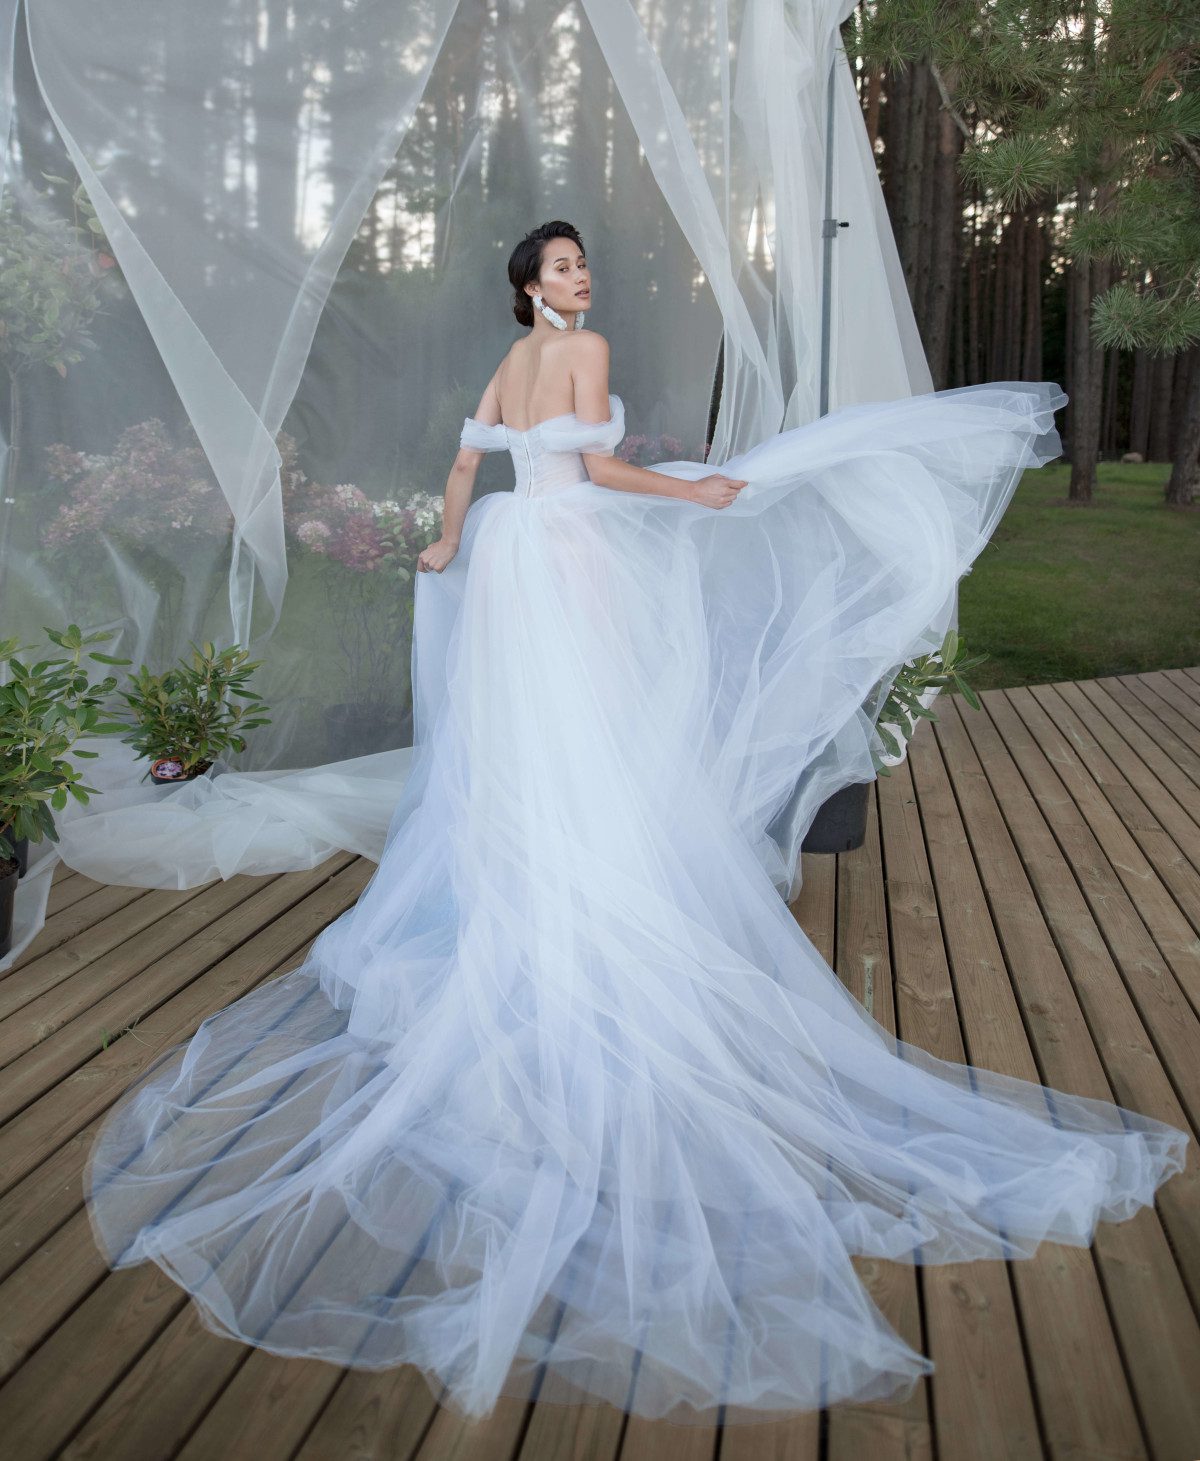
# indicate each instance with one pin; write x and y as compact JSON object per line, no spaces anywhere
{"x":841,"y":822}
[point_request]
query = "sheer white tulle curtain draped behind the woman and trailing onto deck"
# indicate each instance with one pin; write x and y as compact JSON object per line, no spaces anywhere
{"x":235,"y":397}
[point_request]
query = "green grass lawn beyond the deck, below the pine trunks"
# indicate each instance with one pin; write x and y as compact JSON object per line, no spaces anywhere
{"x":1075,"y":592}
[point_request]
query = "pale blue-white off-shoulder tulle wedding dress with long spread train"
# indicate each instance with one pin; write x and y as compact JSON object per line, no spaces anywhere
{"x":569,"y":1086}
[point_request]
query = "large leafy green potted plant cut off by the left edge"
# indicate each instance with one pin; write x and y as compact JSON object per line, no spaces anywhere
{"x":45,"y":709}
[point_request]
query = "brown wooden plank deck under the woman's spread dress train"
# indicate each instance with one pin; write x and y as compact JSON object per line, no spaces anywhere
{"x":1028,"y":901}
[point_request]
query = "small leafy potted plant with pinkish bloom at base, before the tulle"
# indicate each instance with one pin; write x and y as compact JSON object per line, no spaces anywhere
{"x":183,"y":718}
